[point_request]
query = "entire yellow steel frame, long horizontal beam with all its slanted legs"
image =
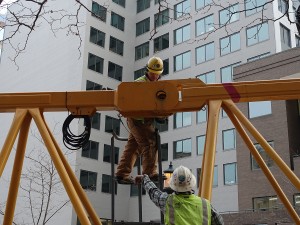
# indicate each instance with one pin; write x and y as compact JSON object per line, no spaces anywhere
{"x":146,"y":99}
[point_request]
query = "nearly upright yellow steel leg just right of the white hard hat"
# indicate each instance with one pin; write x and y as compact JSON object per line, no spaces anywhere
{"x":207,"y":174}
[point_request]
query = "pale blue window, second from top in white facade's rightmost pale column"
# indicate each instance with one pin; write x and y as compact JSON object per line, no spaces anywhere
{"x":257,"y":34}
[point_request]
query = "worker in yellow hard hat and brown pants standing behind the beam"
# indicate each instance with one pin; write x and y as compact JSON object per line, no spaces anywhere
{"x":142,"y":138}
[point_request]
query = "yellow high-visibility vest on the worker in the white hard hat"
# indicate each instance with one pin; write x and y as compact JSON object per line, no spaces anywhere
{"x":187,"y":210}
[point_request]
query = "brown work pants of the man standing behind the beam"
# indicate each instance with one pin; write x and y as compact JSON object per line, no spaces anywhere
{"x":141,"y":141}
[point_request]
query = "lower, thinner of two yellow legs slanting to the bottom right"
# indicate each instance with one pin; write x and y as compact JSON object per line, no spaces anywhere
{"x":261,"y":163}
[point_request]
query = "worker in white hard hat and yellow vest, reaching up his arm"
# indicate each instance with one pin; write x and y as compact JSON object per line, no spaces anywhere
{"x":181,"y":207}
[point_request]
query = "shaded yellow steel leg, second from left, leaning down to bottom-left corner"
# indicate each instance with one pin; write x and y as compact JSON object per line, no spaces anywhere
{"x":16,"y":173}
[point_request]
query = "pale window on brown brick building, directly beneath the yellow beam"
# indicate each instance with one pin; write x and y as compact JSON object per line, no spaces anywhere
{"x":262,"y":108}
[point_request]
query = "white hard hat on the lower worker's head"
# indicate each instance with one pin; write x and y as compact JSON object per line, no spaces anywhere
{"x":182,"y":180}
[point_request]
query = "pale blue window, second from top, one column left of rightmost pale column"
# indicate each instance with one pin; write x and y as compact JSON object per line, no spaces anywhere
{"x":230,"y":44}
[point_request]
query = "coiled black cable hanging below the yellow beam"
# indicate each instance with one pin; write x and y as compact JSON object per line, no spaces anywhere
{"x":72,"y":141}
